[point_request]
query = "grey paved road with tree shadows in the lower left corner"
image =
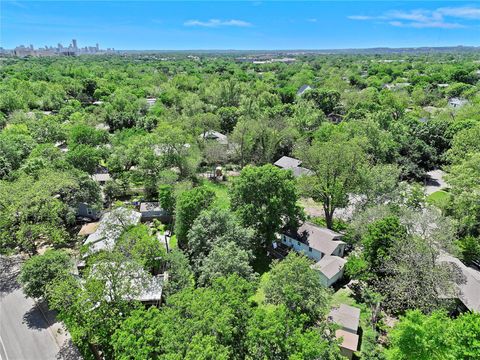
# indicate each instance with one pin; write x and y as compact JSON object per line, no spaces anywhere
{"x":24,"y":331}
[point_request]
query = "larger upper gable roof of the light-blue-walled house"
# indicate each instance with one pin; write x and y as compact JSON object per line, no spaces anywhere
{"x":316,"y":237}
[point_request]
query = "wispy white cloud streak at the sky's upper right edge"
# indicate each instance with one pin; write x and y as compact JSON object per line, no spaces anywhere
{"x":441,"y":18}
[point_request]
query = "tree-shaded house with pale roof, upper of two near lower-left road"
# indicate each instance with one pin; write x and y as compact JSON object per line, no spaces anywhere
{"x":111,"y":226}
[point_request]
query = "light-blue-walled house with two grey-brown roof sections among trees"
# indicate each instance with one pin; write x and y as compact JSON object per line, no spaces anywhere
{"x":321,"y":245}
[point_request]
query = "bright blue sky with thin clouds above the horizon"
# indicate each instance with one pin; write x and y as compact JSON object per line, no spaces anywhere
{"x":240,"y":25}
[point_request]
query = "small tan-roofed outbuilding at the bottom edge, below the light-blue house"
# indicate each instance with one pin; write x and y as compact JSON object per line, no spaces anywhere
{"x":348,"y":318}
